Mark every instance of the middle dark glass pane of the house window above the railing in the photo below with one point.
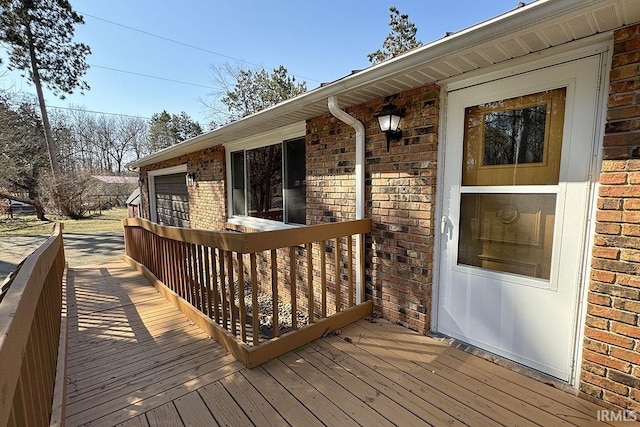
(264, 185)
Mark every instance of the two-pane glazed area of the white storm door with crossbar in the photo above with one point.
(517, 143)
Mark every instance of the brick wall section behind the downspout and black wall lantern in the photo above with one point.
(400, 197)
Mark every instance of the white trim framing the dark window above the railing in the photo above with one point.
(277, 136)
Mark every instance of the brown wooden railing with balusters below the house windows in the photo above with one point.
(308, 275)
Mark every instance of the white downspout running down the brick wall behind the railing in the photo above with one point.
(334, 108)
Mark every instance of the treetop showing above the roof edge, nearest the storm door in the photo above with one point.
(401, 38)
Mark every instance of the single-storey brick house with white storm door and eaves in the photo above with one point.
(505, 215)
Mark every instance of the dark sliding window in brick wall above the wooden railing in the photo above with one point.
(269, 182)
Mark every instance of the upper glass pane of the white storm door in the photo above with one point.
(515, 141)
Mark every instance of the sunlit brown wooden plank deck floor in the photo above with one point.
(135, 360)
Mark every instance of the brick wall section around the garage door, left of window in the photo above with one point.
(207, 206)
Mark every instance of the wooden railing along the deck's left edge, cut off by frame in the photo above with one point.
(30, 324)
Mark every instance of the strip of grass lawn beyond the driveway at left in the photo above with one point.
(28, 225)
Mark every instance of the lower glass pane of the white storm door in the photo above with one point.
(511, 233)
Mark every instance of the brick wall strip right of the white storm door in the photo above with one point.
(611, 357)
